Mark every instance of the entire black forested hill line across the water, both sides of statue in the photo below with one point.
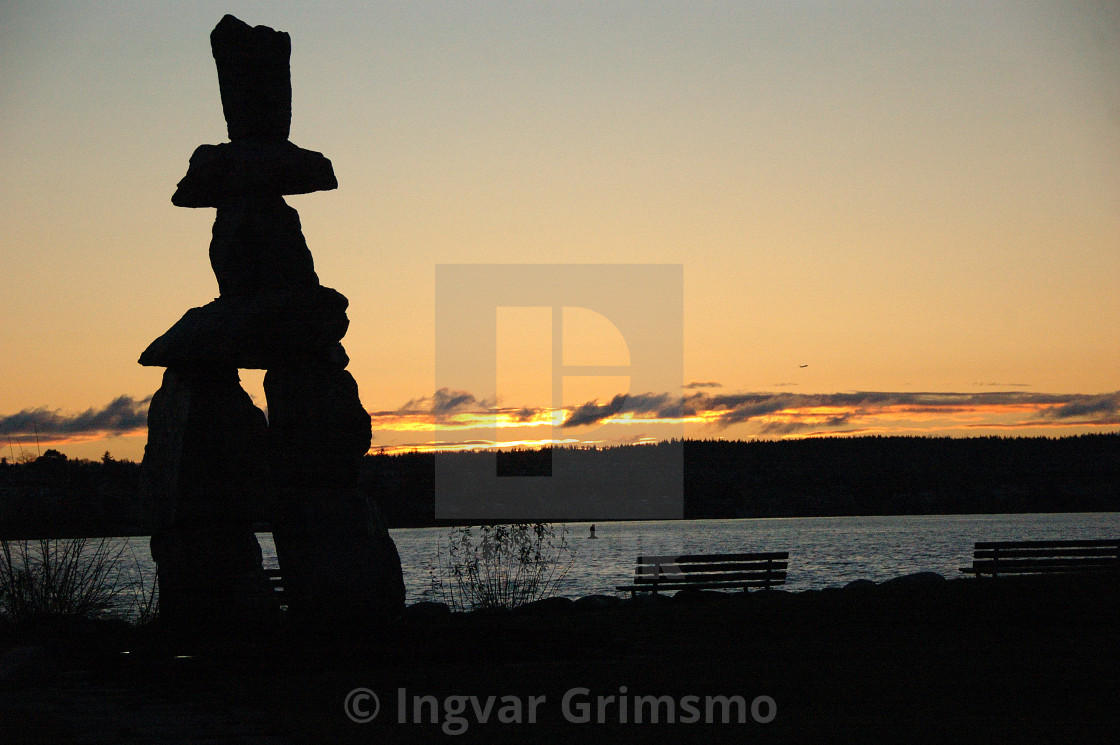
(53, 496)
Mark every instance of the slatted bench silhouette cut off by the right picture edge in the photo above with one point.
(994, 558)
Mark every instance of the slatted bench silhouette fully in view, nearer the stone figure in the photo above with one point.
(655, 574)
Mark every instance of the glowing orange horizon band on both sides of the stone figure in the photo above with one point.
(451, 421)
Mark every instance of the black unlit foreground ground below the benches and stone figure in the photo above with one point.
(960, 662)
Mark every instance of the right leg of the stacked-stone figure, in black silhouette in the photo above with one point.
(341, 566)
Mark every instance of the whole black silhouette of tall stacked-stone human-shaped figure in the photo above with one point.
(211, 454)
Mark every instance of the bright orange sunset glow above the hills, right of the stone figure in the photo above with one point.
(762, 417)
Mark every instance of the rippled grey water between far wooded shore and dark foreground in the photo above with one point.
(824, 552)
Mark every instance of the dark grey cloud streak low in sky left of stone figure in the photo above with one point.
(120, 416)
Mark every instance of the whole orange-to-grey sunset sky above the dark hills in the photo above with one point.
(892, 218)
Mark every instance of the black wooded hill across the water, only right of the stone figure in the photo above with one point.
(828, 477)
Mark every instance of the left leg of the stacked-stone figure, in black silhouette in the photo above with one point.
(203, 477)
